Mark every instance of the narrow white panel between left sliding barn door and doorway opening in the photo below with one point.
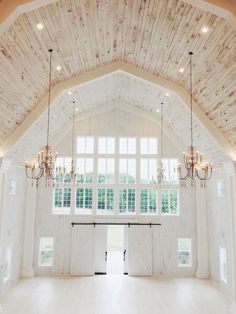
(100, 249)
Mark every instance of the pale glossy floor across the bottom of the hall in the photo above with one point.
(114, 295)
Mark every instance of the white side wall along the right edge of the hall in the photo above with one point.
(219, 227)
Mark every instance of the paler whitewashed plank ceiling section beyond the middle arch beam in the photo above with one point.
(117, 90)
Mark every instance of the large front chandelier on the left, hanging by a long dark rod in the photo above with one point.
(44, 167)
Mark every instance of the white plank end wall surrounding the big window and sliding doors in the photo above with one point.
(118, 122)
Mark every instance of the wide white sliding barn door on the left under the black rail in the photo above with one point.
(82, 250)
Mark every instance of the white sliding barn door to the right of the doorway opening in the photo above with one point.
(140, 250)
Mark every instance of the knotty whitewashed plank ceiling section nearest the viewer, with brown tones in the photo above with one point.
(153, 35)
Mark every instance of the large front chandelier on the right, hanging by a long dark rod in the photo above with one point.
(195, 166)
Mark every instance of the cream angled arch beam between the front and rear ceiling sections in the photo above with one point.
(61, 87)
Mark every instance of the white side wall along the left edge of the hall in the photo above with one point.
(12, 190)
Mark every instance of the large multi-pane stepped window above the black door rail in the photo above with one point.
(117, 176)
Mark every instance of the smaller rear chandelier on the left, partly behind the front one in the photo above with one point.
(64, 173)
